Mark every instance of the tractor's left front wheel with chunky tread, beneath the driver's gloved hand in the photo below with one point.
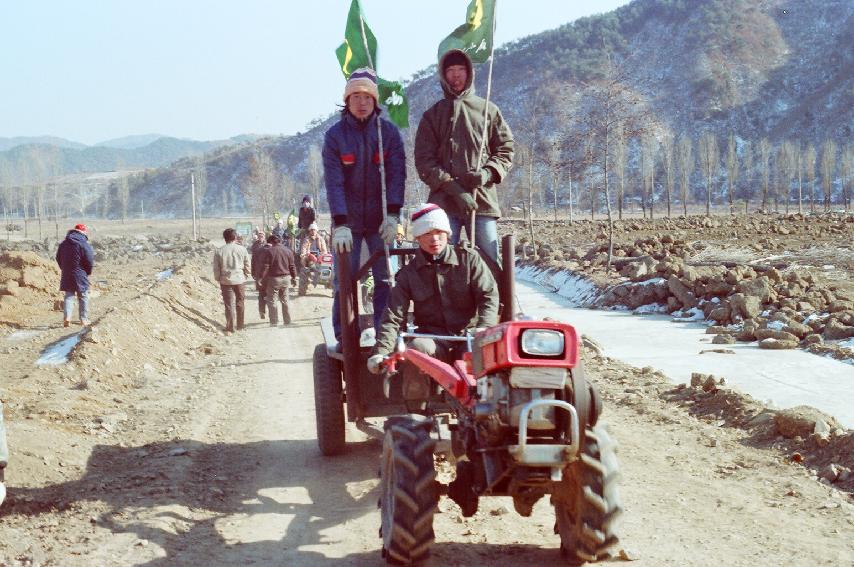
(408, 497)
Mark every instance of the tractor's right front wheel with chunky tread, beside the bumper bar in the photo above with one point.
(587, 502)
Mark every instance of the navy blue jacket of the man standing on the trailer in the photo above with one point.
(351, 168)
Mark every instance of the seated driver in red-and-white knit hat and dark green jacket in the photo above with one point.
(452, 290)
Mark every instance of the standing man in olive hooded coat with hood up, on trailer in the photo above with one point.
(447, 146)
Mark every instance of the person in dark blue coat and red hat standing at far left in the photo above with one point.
(76, 260)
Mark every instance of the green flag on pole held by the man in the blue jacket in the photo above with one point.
(352, 55)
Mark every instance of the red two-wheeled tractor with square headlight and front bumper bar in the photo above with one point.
(523, 421)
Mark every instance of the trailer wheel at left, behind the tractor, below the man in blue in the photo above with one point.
(328, 402)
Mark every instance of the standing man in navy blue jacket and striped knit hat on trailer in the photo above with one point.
(351, 165)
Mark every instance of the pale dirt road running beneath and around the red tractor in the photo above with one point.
(221, 467)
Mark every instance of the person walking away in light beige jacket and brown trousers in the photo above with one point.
(231, 269)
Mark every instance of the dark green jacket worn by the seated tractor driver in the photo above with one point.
(451, 294)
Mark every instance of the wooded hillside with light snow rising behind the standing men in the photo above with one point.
(780, 69)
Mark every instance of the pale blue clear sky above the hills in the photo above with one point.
(93, 70)
